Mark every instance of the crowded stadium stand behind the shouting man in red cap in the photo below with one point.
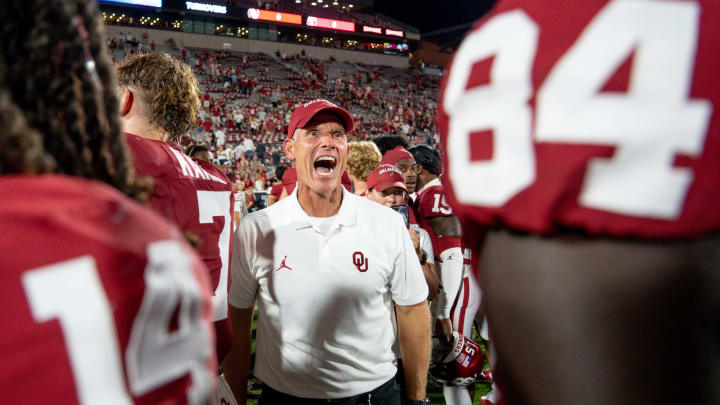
(247, 100)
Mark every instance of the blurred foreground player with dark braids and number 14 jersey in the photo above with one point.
(103, 301)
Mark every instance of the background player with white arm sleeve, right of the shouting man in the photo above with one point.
(459, 298)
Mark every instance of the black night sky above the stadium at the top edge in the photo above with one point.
(432, 15)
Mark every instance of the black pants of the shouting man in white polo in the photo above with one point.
(386, 394)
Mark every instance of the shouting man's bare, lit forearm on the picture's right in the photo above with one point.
(414, 334)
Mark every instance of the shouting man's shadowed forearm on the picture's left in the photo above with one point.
(236, 365)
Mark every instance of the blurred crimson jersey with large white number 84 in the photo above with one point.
(597, 114)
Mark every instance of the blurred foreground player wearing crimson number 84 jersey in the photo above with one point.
(589, 131)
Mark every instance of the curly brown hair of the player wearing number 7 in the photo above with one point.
(168, 89)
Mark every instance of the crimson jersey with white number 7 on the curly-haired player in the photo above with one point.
(196, 196)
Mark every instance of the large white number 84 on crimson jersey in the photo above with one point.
(650, 124)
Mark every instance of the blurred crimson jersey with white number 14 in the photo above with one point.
(90, 283)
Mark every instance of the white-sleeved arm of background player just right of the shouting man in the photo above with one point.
(448, 233)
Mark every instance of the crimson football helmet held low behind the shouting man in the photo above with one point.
(457, 363)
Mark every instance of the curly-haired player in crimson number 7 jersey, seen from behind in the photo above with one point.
(159, 104)
